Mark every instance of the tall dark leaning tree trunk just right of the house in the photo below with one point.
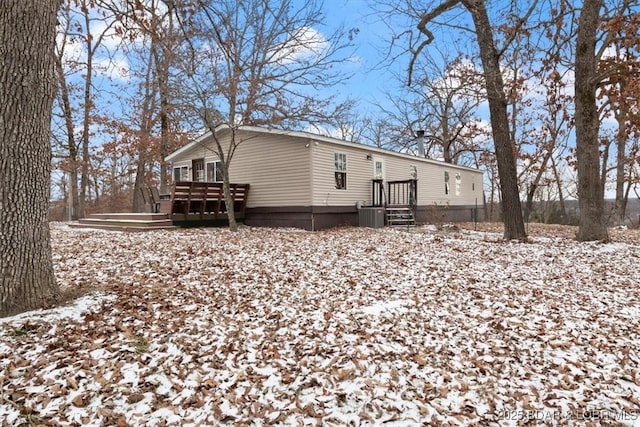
(504, 147)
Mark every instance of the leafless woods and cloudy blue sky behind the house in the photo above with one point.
(137, 79)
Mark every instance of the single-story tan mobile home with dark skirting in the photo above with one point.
(304, 180)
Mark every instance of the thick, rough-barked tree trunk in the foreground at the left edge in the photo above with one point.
(27, 34)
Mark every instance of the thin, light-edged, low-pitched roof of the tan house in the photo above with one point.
(311, 136)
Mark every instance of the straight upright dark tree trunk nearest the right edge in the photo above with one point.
(591, 224)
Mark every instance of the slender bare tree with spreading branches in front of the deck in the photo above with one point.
(256, 62)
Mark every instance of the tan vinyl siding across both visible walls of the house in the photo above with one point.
(298, 170)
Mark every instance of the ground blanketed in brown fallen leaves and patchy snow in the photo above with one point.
(350, 326)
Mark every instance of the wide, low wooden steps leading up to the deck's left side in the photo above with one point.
(126, 222)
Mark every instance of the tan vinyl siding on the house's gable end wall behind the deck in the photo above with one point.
(276, 167)
